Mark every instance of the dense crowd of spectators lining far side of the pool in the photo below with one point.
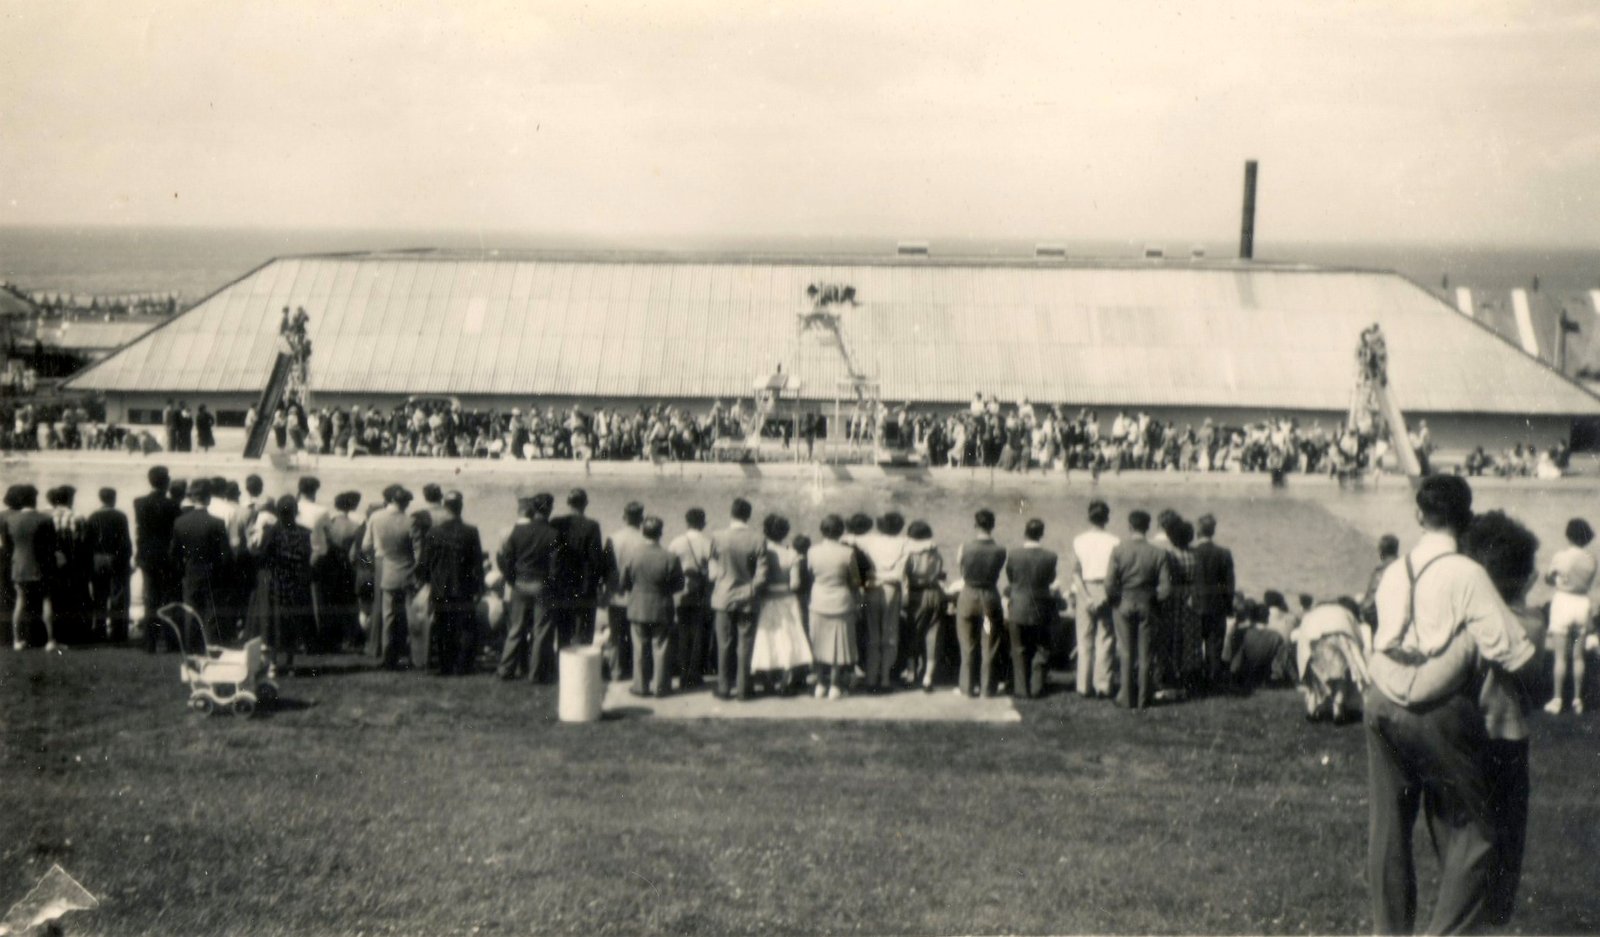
(1020, 437)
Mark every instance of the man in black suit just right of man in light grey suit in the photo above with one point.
(454, 568)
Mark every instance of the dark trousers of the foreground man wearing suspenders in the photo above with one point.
(1430, 762)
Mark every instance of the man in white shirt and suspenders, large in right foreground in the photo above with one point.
(1426, 738)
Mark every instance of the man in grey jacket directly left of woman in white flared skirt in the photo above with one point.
(738, 559)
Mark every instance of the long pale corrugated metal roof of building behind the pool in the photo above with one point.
(666, 327)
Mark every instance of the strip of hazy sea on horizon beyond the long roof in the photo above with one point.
(196, 261)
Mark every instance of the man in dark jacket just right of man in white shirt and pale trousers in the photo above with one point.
(1137, 583)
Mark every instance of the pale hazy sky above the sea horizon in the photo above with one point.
(1423, 122)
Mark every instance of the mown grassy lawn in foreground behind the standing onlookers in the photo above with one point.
(410, 805)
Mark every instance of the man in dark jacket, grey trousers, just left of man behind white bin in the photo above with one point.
(526, 560)
